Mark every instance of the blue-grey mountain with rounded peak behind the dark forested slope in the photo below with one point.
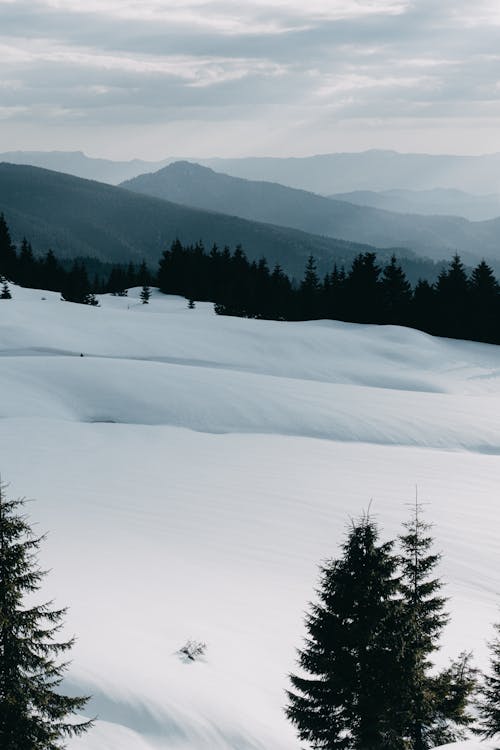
(434, 236)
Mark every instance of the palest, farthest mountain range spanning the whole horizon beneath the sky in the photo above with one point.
(324, 174)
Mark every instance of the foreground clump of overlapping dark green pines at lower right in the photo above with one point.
(367, 679)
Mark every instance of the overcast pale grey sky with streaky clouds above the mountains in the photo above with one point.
(157, 78)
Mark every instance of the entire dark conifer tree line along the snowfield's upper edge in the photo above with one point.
(460, 304)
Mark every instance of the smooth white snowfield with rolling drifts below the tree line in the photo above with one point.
(193, 470)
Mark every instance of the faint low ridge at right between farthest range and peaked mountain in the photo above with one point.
(442, 201)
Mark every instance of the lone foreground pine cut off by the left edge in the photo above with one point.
(34, 715)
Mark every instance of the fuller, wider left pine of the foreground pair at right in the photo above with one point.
(352, 651)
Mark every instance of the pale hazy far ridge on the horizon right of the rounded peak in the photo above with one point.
(370, 170)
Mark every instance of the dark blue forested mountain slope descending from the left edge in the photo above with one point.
(77, 217)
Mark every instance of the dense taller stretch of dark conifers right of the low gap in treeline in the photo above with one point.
(458, 305)
